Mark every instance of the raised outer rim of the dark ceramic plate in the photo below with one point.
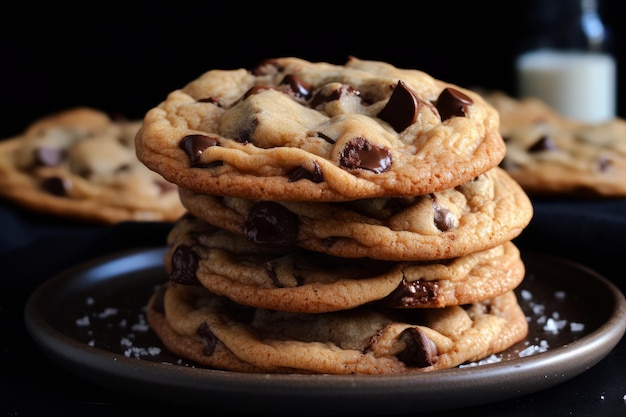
(194, 386)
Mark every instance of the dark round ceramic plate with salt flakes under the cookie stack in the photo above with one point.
(91, 320)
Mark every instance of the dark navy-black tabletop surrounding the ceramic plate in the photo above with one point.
(34, 247)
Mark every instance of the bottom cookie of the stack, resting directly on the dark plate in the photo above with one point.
(215, 332)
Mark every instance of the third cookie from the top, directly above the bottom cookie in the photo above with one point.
(297, 280)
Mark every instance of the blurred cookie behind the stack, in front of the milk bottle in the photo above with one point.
(548, 154)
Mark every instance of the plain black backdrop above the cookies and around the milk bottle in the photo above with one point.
(124, 60)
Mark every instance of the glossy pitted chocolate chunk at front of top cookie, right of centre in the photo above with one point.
(359, 153)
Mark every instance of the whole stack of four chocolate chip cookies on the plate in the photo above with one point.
(341, 219)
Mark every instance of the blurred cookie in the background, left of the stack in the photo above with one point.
(80, 164)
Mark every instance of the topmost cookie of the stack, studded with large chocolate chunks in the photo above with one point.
(296, 130)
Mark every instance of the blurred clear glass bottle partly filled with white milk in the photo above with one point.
(566, 59)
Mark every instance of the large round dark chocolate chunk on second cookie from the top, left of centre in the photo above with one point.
(270, 223)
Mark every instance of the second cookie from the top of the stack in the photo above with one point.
(482, 213)
